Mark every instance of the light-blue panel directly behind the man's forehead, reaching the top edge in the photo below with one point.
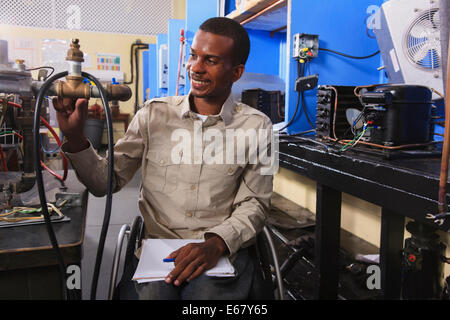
(197, 11)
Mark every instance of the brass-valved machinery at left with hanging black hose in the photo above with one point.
(24, 108)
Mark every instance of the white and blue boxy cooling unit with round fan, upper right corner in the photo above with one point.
(409, 39)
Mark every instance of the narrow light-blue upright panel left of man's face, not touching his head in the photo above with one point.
(175, 26)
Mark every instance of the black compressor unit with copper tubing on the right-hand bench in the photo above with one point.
(381, 118)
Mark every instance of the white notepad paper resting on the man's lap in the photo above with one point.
(152, 268)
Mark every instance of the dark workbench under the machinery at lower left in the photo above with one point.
(28, 264)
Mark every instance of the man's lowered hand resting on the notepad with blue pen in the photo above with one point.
(195, 258)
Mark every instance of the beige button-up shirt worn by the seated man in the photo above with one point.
(196, 176)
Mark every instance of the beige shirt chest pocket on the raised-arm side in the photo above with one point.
(162, 172)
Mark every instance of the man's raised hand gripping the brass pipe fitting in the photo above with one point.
(72, 118)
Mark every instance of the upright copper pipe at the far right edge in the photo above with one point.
(442, 202)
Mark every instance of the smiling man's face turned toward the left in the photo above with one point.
(210, 66)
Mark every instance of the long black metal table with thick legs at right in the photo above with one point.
(401, 187)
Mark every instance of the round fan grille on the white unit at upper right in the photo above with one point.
(422, 41)
